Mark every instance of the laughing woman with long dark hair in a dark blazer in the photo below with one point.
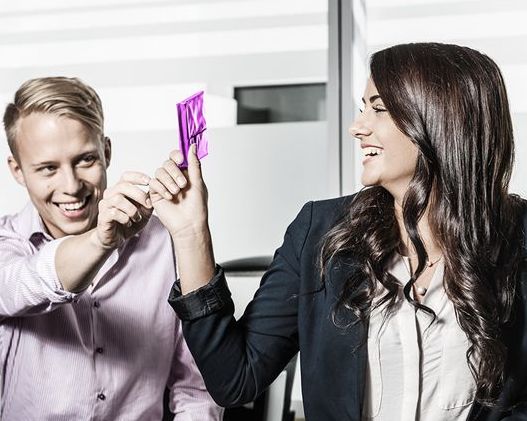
(406, 300)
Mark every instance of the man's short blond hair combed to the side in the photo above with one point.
(62, 96)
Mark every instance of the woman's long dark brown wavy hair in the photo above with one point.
(452, 103)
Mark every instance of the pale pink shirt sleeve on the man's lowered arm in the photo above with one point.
(189, 399)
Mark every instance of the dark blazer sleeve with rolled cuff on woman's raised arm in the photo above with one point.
(240, 359)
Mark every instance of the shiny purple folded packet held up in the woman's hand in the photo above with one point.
(192, 126)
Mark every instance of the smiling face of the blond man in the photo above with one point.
(63, 166)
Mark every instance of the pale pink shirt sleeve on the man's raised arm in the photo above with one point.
(28, 281)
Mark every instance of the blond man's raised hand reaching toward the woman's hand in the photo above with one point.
(123, 211)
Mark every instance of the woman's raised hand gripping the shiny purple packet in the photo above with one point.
(180, 196)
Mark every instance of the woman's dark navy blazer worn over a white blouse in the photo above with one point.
(291, 311)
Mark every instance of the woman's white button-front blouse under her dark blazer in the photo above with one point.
(417, 370)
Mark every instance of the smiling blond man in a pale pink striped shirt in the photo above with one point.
(85, 329)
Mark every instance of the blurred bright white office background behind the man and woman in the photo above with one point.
(283, 80)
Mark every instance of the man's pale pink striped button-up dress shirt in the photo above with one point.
(107, 353)
